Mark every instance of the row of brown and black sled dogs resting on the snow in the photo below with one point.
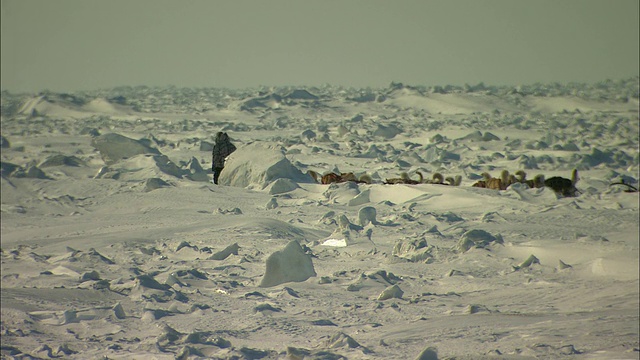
(562, 186)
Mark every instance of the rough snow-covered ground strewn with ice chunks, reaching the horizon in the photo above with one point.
(115, 244)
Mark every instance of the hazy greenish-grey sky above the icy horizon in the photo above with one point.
(68, 45)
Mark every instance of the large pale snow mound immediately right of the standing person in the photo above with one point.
(257, 165)
